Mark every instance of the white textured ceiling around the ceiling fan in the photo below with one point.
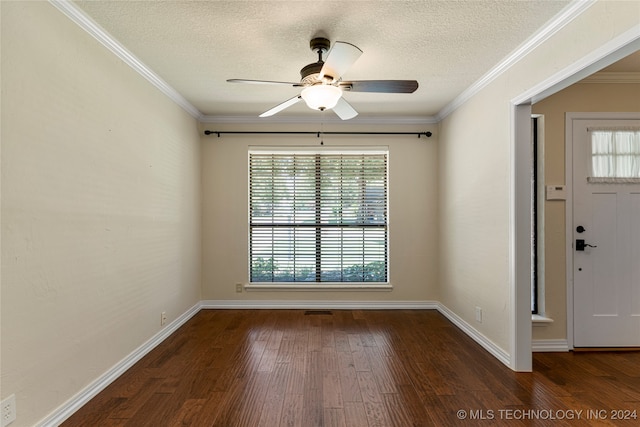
(195, 46)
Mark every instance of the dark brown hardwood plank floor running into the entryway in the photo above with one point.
(356, 368)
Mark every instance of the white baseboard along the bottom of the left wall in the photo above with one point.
(63, 412)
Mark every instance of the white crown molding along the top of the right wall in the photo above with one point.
(568, 14)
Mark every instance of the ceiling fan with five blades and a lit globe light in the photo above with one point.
(323, 84)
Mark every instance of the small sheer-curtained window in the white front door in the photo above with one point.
(615, 155)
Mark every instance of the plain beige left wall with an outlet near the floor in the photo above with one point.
(100, 209)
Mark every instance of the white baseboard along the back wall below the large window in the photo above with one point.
(319, 305)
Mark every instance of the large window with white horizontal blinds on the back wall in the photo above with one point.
(318, 216)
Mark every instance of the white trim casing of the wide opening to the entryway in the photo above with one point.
(521, 162)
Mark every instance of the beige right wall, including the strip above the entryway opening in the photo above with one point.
(475, 147)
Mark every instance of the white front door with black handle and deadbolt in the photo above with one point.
(606, 249)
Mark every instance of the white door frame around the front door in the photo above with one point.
(569, 225)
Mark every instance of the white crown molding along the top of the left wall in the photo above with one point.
(107, 40)
